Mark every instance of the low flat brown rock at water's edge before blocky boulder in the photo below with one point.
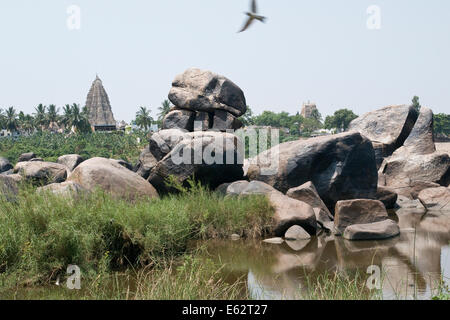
(372, 231)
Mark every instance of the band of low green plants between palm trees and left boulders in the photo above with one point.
(50, 146)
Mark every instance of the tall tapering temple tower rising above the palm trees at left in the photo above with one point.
(100, 114)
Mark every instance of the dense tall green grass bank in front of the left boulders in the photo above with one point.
(41, 234)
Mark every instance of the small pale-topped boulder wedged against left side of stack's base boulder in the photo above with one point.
(163, 141)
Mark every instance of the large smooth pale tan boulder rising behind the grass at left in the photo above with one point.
(109, 175)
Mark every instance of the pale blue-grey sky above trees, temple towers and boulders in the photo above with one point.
(321, 51)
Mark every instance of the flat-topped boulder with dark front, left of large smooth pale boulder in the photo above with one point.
(40, 172)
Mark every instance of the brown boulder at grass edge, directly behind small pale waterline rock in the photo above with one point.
(290, 212)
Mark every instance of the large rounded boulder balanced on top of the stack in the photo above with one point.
(200, 90)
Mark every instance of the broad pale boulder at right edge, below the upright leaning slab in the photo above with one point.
(407, 174)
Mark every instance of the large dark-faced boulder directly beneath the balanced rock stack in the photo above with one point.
(212, 158)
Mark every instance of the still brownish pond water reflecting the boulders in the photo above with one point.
(412, 264)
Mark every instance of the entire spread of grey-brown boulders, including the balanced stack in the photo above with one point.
(341, 184)
